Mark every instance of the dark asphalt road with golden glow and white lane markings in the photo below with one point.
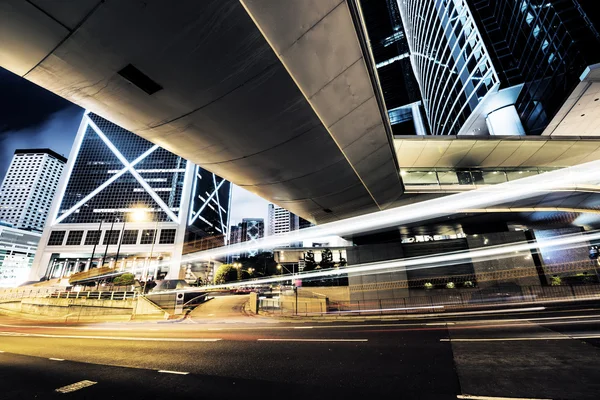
(223, 353)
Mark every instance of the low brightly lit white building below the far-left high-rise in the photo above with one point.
(17, 250)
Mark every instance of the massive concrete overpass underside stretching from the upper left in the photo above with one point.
(278, 97)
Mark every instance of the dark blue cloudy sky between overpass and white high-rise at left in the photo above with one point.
(32, 117)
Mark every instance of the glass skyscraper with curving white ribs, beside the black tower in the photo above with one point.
(451, 62)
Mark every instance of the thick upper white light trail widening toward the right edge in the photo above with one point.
(425, 210)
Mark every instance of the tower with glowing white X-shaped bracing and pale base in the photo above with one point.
(126, 203)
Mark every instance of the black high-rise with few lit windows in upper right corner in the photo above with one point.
(544, 45)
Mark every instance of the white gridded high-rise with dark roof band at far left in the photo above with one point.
(29, 187)
